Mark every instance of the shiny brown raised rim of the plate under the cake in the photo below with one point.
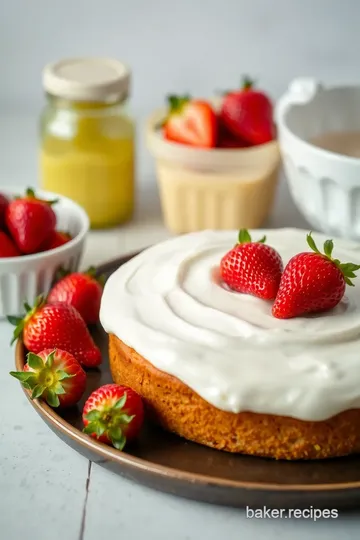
(140, 464)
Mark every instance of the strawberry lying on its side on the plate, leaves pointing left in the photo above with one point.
(56, 326)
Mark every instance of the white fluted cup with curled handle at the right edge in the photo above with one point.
(325, 186)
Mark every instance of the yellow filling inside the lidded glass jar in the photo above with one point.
(90, 159)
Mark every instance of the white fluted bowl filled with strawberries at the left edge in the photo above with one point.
(39, 234)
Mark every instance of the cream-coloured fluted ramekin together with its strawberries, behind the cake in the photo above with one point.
(217, 161)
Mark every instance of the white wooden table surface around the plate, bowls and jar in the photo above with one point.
(49, 492)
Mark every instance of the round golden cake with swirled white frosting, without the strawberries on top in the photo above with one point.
(215, 367)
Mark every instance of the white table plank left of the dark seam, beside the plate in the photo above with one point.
(42, 480)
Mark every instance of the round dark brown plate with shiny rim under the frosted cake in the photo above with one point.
(169, 463)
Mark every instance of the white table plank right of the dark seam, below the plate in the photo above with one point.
(118, 508)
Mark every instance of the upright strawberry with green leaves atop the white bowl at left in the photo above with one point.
(30, 221)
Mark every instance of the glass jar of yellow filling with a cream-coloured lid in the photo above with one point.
(87, 138)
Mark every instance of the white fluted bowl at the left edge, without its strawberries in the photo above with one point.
(22, 279)
